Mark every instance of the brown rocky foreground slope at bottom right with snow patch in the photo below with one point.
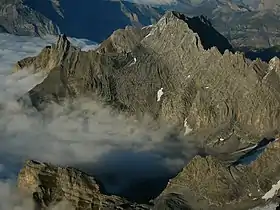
(207, 183)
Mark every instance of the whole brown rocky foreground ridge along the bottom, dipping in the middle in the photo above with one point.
(205, 183)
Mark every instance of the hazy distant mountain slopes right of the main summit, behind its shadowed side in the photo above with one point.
(243, 23)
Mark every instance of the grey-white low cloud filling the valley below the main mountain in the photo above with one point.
(83, 134)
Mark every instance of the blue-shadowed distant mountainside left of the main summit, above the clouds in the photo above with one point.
(94, 20)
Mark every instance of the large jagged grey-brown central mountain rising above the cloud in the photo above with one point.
(177, 71)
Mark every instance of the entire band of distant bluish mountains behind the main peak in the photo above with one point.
(245, 23)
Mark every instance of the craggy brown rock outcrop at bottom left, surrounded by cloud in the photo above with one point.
(49, 185)
